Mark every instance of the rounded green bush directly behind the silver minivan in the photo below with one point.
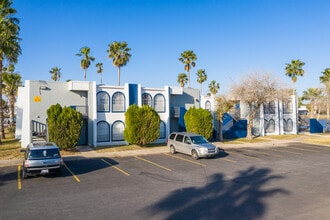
(199, 121)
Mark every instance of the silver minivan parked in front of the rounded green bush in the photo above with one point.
(191, 144)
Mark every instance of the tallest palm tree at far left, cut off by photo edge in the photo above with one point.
(9, 44)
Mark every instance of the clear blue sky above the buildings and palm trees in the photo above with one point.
(231, 39)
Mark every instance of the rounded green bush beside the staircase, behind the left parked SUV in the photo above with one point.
(64, 126)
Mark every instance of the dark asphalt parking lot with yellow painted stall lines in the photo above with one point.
(275, 182)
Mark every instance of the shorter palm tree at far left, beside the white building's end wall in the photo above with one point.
(11, 82)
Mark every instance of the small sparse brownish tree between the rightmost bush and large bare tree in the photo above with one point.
(222, 106)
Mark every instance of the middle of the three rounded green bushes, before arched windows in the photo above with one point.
(142, 125)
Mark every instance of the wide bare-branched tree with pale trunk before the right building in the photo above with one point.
(255, 90)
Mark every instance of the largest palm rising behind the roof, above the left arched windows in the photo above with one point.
(119, 53)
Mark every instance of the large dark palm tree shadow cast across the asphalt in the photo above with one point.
(242, 197)
